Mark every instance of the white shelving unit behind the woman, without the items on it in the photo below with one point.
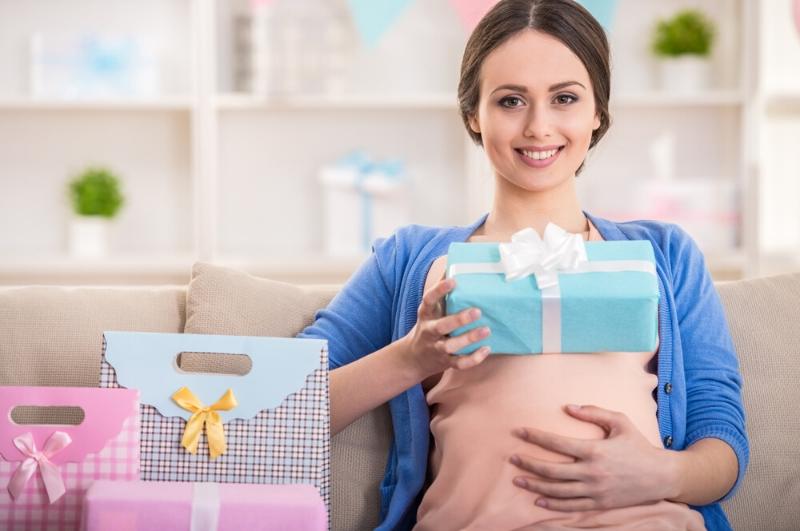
(216, 175)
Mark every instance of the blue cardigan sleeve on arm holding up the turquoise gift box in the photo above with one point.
(358, 321)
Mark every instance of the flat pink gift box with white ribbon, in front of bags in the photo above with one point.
(147, 505)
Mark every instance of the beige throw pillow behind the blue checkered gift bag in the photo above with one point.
(225, 301)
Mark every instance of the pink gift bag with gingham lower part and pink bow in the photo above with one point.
(45, 469)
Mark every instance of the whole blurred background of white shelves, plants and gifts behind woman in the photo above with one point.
(281, 137)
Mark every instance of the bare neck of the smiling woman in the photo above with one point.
(514, 209)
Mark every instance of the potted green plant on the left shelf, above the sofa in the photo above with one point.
(96, 198)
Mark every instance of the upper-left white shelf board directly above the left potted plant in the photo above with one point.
(34, 104)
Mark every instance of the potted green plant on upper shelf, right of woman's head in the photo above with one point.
(683, 46)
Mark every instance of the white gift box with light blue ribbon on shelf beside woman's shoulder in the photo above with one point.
(362, 200)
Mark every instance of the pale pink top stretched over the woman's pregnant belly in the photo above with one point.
(471, 476)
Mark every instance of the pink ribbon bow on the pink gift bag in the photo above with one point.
(51, 476)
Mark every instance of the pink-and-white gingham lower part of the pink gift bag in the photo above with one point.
(118, 460)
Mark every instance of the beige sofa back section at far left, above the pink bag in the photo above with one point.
(54, 335)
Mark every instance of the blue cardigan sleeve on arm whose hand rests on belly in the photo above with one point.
(713, 381)
